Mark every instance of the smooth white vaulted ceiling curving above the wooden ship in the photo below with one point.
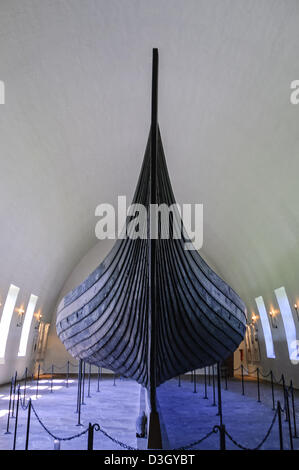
(75, 123)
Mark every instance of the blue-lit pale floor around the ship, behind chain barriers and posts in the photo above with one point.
(185, 415)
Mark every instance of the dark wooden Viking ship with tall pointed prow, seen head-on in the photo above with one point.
(152, 310)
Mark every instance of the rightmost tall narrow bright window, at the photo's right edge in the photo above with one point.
(288, 322)
